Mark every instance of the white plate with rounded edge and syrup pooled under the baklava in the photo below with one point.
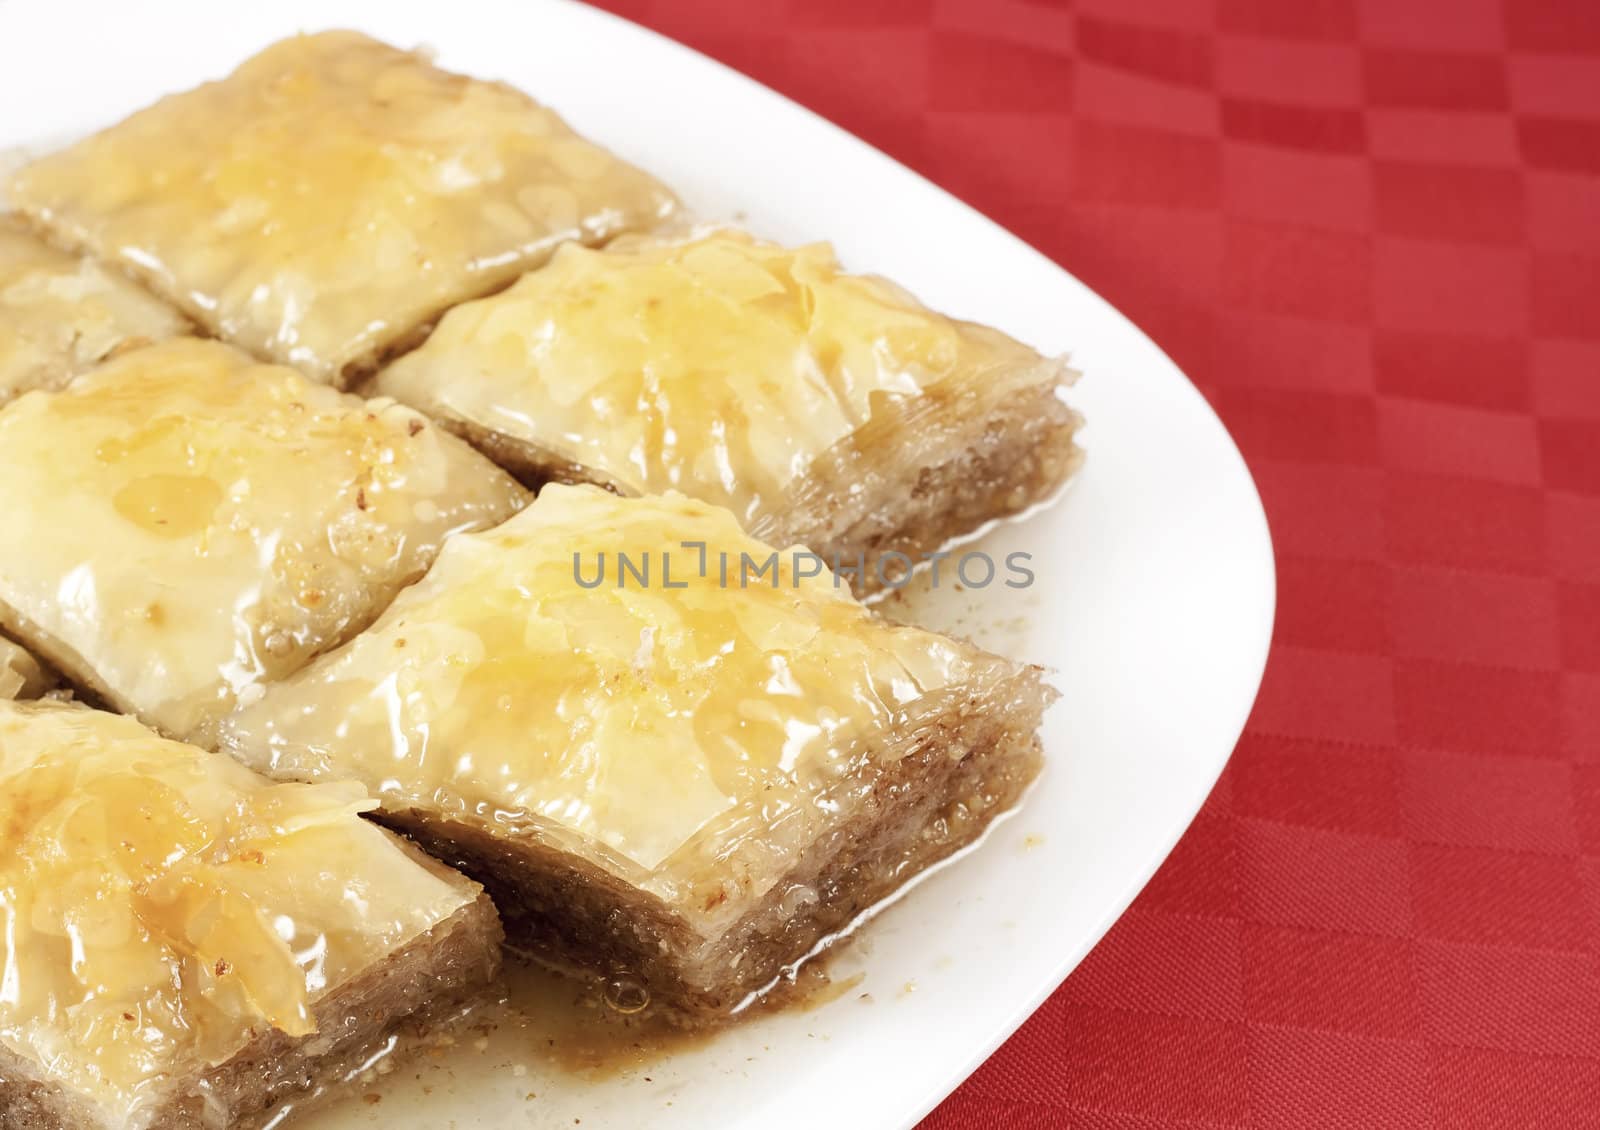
(1154, 596)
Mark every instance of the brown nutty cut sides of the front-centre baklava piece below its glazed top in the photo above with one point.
(962, 771)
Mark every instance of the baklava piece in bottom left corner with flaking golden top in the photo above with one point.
(188, 945)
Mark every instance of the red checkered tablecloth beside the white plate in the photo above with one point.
(1370, 233)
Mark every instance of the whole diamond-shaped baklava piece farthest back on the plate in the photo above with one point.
(334, 196)
